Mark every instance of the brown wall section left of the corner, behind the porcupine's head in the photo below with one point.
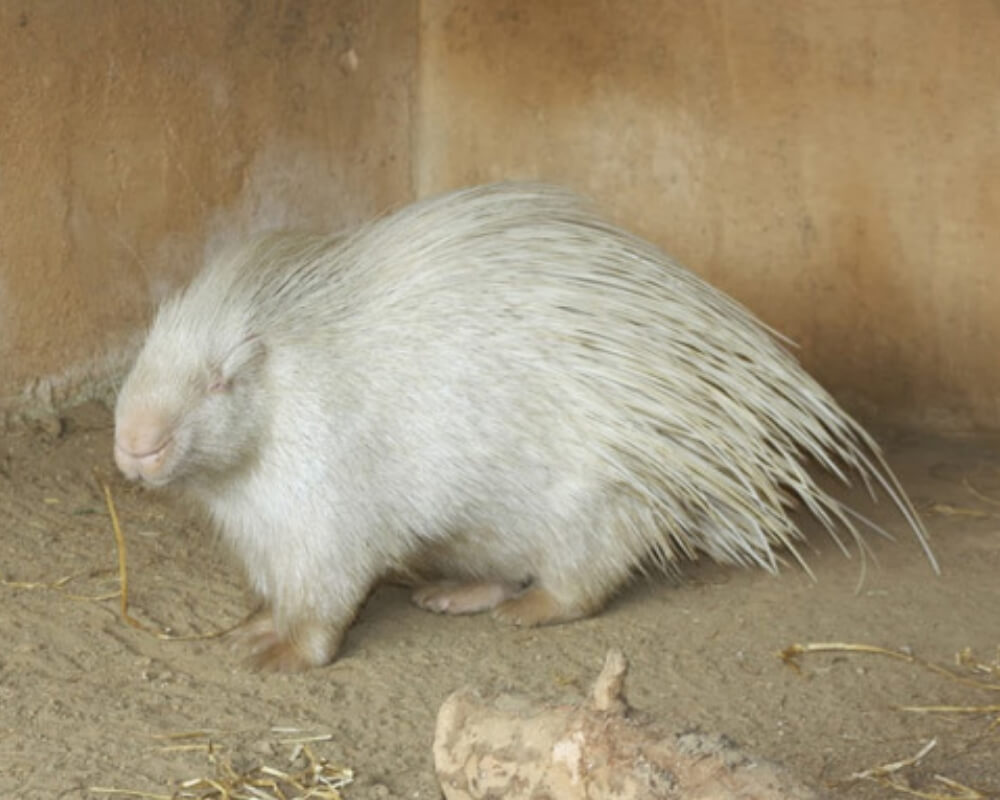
(136, 134)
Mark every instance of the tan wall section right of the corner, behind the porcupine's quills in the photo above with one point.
(835, 164)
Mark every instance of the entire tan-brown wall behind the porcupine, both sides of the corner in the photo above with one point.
(834, 164)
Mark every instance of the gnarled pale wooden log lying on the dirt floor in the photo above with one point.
(511, 747)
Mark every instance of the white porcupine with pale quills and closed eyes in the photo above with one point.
(495, 382)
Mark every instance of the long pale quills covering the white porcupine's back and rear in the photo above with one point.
(691, 404)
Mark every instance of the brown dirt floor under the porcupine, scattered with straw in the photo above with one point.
(88, 701)
